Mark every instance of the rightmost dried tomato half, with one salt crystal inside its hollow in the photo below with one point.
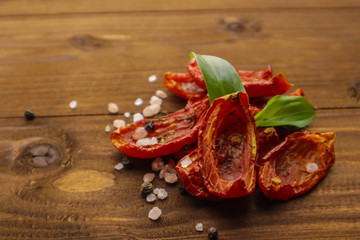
(296, 165)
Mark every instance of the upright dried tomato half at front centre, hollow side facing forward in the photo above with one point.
(227, 143)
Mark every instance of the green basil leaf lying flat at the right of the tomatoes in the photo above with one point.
(281, 110)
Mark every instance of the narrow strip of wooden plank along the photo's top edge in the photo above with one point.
(21, 7)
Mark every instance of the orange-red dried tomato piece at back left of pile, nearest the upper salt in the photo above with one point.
(182, 85)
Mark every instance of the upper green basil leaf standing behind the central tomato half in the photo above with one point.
(220, 76)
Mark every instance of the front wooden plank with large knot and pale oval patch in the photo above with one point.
(34, 203)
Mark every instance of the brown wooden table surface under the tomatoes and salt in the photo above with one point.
(96, 52)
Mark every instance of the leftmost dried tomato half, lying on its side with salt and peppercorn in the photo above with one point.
(167, 135)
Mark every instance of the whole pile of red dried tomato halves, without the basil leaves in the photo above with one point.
(229, 154)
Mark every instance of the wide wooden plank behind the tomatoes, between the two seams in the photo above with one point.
(48, 61)
